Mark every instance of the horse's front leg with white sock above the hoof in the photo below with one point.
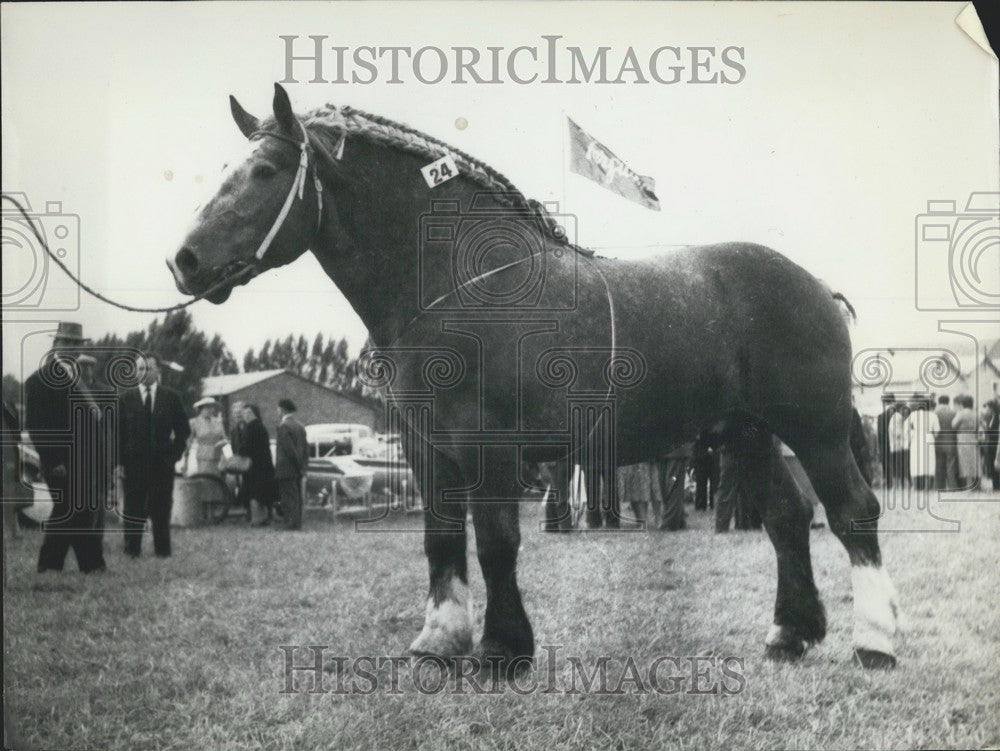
(448, 618)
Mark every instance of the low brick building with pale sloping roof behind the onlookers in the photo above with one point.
(264, 388)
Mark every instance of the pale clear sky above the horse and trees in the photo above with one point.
(849, 119)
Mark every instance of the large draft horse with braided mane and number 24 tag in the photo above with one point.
(499, 341)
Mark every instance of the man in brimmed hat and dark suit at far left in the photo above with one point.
(65, 424)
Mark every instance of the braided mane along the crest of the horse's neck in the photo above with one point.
(381, 130)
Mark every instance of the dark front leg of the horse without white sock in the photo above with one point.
(507, 634)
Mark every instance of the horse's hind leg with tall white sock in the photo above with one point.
(852, 512)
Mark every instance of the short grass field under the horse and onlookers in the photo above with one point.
(184, 654)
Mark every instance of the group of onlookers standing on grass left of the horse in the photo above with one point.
(92, 439)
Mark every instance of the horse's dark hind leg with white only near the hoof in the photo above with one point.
(799, 618)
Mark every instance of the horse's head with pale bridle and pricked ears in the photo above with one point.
(265, 214)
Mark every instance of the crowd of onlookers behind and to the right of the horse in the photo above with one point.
(913, 444)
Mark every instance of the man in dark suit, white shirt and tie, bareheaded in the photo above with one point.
(153, 432)
